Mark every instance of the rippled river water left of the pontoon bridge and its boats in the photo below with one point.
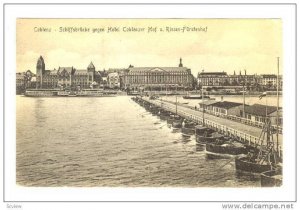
(72, 141)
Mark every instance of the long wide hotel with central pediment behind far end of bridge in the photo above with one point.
(158, 78)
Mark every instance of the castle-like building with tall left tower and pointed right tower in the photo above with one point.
(66, 77)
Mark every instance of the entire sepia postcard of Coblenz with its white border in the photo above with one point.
(151, 103)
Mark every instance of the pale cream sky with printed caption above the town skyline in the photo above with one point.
(217, 44)
